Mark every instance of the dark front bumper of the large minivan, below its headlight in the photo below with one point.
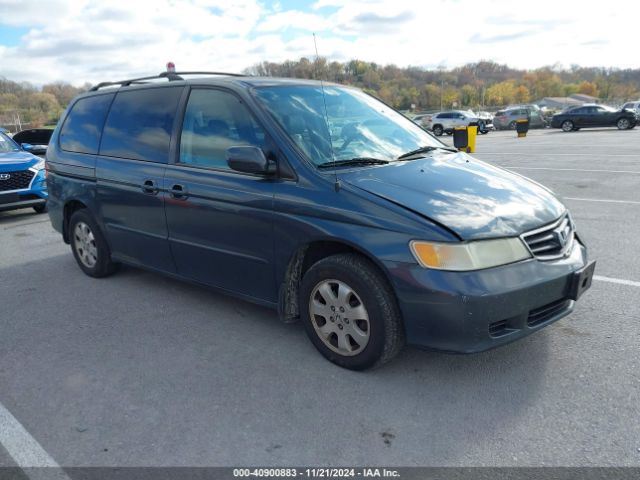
(469, 312)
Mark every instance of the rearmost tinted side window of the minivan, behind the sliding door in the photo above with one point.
(83, 126)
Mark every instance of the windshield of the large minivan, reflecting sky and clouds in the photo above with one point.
(356, 126)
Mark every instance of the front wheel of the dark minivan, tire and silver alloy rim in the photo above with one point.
(350, 313)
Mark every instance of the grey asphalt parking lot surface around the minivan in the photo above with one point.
(141, 370)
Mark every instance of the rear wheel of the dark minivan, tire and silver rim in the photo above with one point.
(89, 245)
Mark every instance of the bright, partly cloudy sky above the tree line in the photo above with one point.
(79, 40)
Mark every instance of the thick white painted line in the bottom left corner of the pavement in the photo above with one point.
(25, 450)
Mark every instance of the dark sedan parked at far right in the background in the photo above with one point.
(587, 116)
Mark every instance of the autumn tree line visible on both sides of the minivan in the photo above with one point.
(483, 84)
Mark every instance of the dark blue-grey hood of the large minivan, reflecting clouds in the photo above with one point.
(470, 197)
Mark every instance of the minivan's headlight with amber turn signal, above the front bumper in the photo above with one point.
(469, 256)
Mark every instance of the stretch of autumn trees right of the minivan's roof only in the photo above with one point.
(475, 85)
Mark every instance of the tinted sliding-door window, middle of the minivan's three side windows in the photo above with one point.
(139, 124)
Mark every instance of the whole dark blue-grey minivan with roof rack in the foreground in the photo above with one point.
(320, 202)
